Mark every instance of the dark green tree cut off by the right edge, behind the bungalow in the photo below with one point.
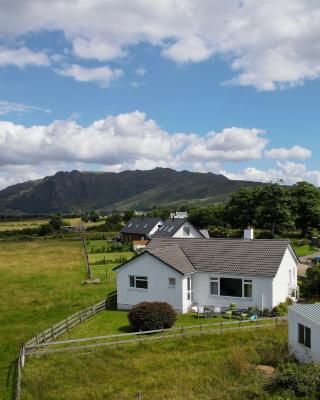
(306, 206)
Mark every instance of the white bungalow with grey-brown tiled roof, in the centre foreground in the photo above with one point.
(209, 272)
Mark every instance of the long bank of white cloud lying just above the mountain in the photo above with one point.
(131, 141)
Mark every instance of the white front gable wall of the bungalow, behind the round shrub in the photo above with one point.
(158, 274)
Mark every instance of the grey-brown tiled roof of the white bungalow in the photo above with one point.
(227, 256)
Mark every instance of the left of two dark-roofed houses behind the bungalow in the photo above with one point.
(140, 228)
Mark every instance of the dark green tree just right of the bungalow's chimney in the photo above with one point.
(274, 207)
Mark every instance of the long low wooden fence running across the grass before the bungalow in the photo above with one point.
(160, 334)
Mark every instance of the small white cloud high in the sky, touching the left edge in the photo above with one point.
(22, 57)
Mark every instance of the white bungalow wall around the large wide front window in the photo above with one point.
(261, 291)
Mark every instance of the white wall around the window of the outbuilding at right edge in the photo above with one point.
(299, 351)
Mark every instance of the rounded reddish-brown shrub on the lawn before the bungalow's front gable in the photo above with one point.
(148, 316)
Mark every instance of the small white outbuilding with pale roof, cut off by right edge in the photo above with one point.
(304, 332)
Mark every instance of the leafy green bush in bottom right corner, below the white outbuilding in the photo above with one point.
(302, 379)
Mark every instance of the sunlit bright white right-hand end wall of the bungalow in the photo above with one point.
(285, 279)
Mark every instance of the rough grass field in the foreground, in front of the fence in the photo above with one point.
(201, 367)
